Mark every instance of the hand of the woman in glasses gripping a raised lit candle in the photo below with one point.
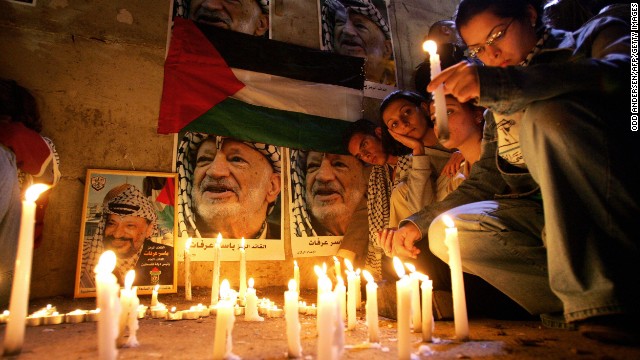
(460, 80)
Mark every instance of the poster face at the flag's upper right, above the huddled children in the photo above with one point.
(357, 35)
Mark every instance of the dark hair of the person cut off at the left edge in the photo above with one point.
(17, 102)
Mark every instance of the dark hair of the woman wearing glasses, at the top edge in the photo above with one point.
(517, 9)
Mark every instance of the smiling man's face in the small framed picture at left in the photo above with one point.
(125, 234)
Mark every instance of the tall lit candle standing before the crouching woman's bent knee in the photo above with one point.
(457, 285)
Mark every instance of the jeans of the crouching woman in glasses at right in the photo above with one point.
(579, 255)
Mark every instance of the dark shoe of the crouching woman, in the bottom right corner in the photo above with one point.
(612, 329)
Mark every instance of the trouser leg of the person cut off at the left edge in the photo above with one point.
(10, 210)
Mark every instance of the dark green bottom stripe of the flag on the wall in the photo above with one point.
(238, 119)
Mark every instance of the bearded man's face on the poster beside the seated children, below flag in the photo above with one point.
(334, 186)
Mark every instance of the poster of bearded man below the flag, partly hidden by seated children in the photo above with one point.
(325, 191)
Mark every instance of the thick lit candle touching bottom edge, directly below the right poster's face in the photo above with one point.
(326, 324)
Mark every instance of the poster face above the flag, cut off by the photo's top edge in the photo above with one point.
(243, 16)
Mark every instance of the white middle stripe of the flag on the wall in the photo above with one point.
(277, 92)
